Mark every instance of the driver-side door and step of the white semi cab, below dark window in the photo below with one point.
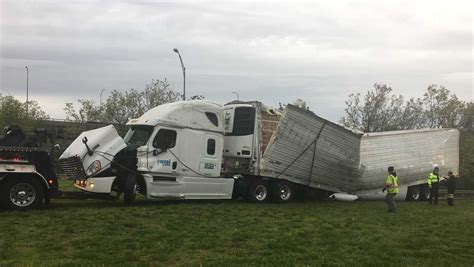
(163, 164)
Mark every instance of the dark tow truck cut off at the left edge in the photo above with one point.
(27, 176)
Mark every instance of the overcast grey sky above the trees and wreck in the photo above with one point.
(271, 51)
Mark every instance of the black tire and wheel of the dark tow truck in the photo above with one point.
(22, 193)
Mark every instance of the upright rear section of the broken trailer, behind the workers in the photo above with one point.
(413, 153)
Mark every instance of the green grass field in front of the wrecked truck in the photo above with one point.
(221, 233)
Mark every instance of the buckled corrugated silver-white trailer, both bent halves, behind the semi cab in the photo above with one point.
(309, 150)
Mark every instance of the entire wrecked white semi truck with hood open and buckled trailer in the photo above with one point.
(204, 150)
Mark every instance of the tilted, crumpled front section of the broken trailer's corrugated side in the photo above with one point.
(312, 151)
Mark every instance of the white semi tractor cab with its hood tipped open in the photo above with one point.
(172, 151)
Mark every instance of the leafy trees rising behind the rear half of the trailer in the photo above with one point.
(381, 110)
